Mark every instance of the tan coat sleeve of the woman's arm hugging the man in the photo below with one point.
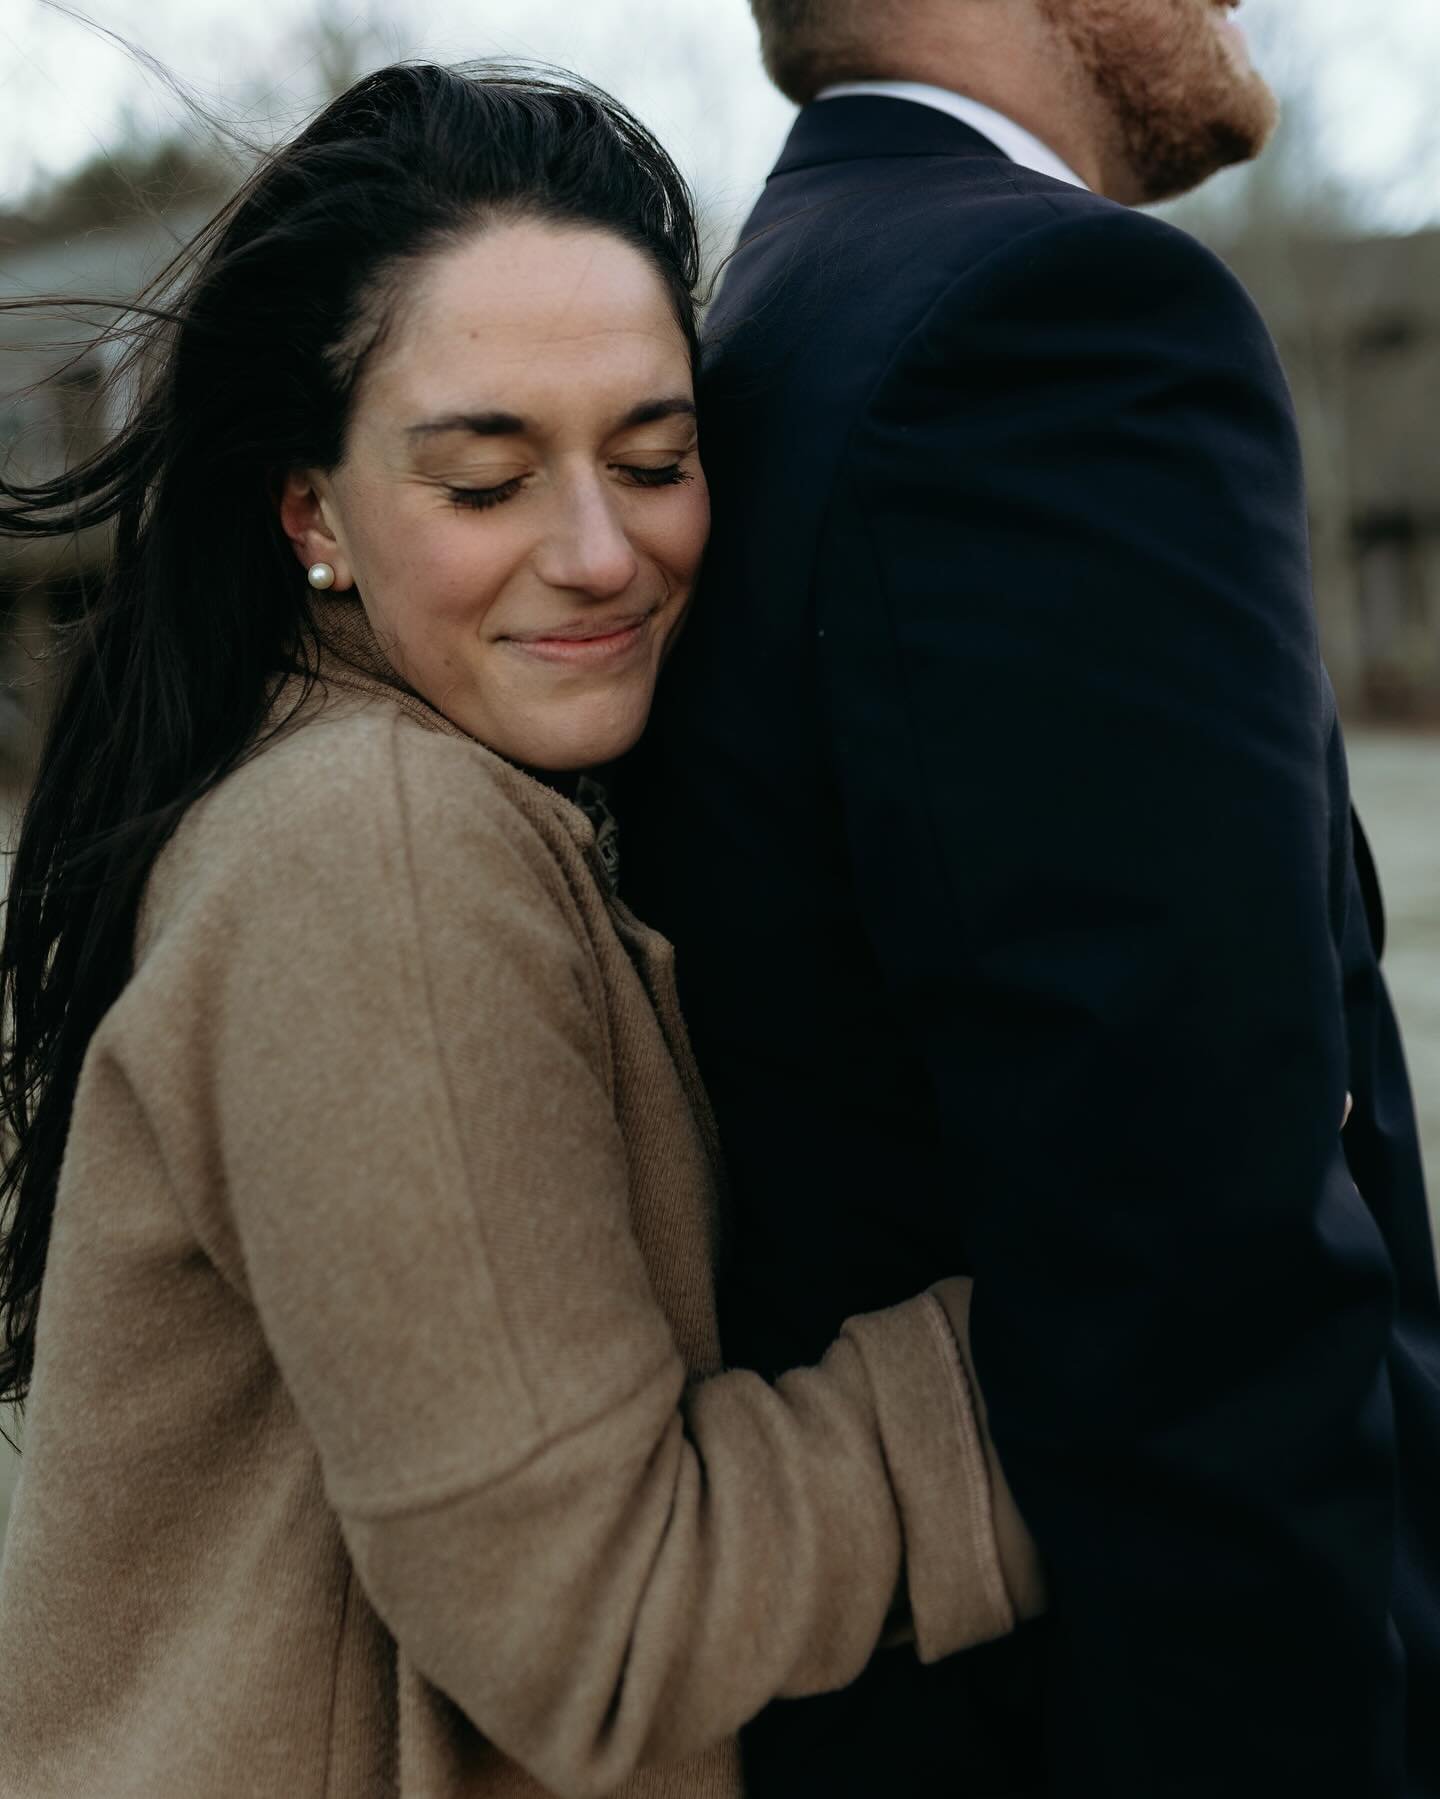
(598, 1562)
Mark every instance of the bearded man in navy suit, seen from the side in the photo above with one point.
(1000, 816)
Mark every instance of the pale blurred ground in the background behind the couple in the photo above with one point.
(1398, 789)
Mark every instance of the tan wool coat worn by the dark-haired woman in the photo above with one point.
(379, 1442)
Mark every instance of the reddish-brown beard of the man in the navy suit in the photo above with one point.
(1185, 105)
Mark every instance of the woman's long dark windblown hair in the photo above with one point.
(246, 362)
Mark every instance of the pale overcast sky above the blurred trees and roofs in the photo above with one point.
(688, 67)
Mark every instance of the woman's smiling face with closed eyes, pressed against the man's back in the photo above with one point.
(521, 505)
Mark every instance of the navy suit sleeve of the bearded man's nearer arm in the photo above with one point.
(1079, 726)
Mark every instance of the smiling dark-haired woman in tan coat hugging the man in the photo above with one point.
(377, 1435)
